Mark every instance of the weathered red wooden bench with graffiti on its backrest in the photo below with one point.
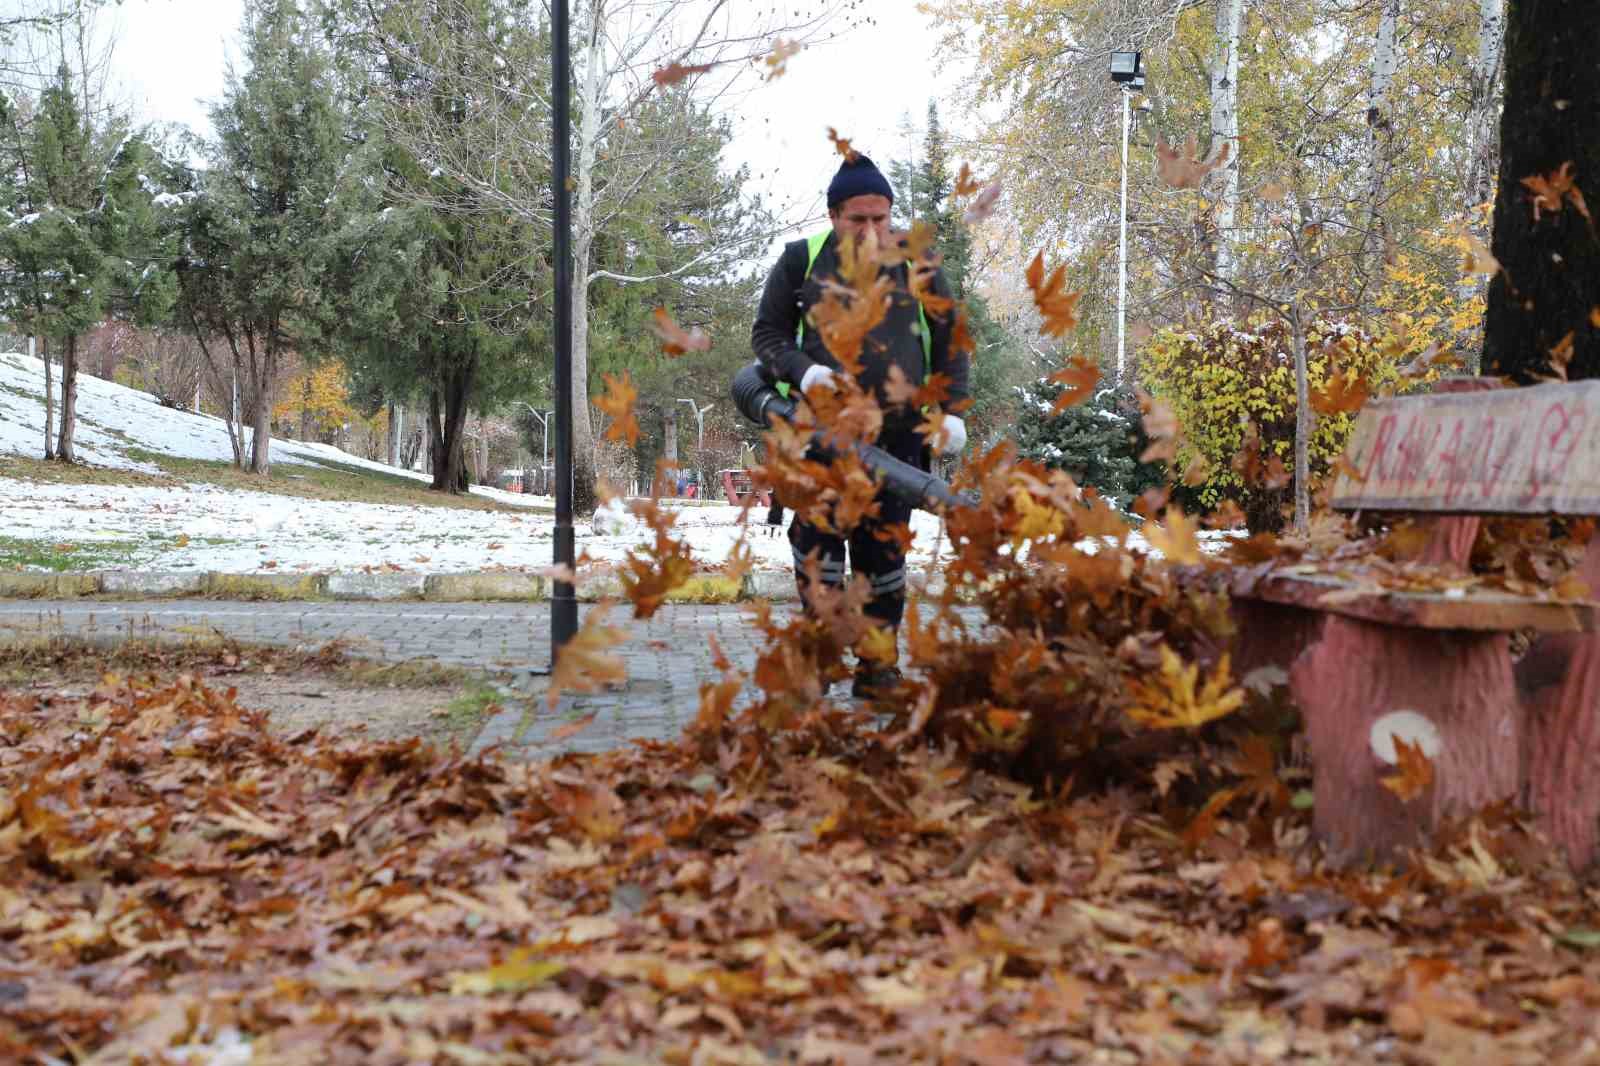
(1436, 668)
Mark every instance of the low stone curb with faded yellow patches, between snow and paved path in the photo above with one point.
(439, 588)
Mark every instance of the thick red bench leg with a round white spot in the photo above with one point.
(1361, 671)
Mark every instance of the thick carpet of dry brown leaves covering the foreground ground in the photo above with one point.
(175, 881)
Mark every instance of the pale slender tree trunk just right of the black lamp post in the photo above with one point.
(591, 106)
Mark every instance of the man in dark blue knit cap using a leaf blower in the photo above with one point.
(918, 342)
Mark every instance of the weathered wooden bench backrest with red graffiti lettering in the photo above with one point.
(1500, 452)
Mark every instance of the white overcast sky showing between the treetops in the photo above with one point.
(172, 55)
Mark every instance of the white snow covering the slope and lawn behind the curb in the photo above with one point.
(206, 527)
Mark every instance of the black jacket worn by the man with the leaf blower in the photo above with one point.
(895, 342)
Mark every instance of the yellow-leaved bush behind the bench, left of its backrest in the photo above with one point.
(1223, 377)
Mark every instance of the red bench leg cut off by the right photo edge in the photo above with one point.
(1559, 681)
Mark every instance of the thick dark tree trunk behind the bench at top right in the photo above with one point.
(1540, 302)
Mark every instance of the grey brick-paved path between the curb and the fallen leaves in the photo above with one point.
(668, 657)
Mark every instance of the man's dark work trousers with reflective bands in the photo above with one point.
(882, 563)
